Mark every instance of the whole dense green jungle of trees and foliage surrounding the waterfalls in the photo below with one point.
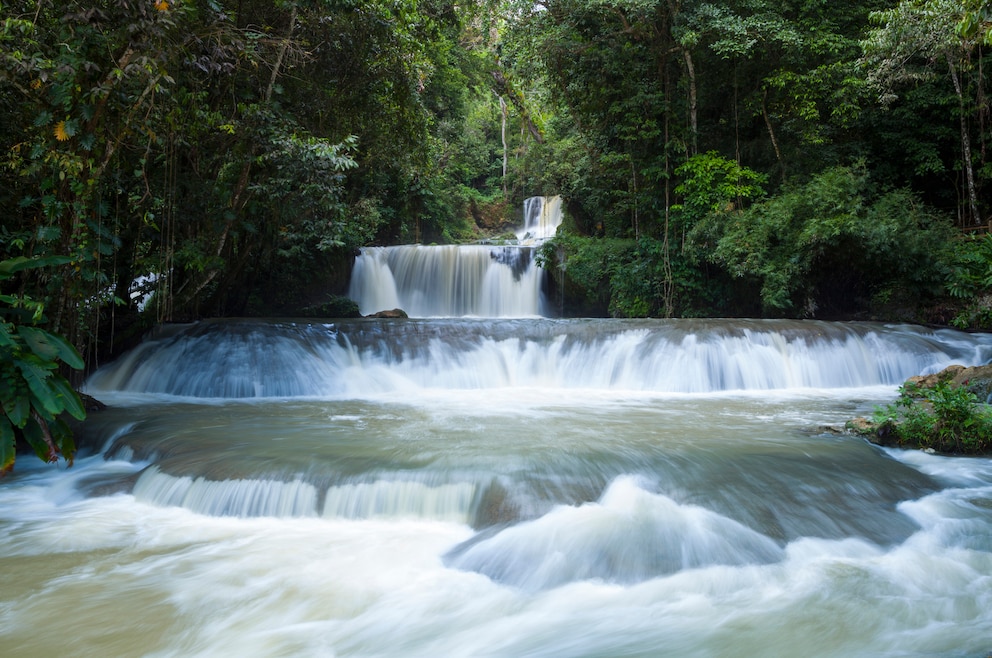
(175, 159)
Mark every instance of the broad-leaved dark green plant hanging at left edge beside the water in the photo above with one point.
(33, 395)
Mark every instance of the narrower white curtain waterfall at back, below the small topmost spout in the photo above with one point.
(448, 281)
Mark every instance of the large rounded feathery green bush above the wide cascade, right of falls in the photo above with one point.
(827, 244)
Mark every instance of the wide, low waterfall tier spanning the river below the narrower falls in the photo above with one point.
(356, 358)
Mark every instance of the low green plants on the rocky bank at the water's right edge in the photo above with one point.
(945, 418)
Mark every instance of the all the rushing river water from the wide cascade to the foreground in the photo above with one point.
(502, 488)
